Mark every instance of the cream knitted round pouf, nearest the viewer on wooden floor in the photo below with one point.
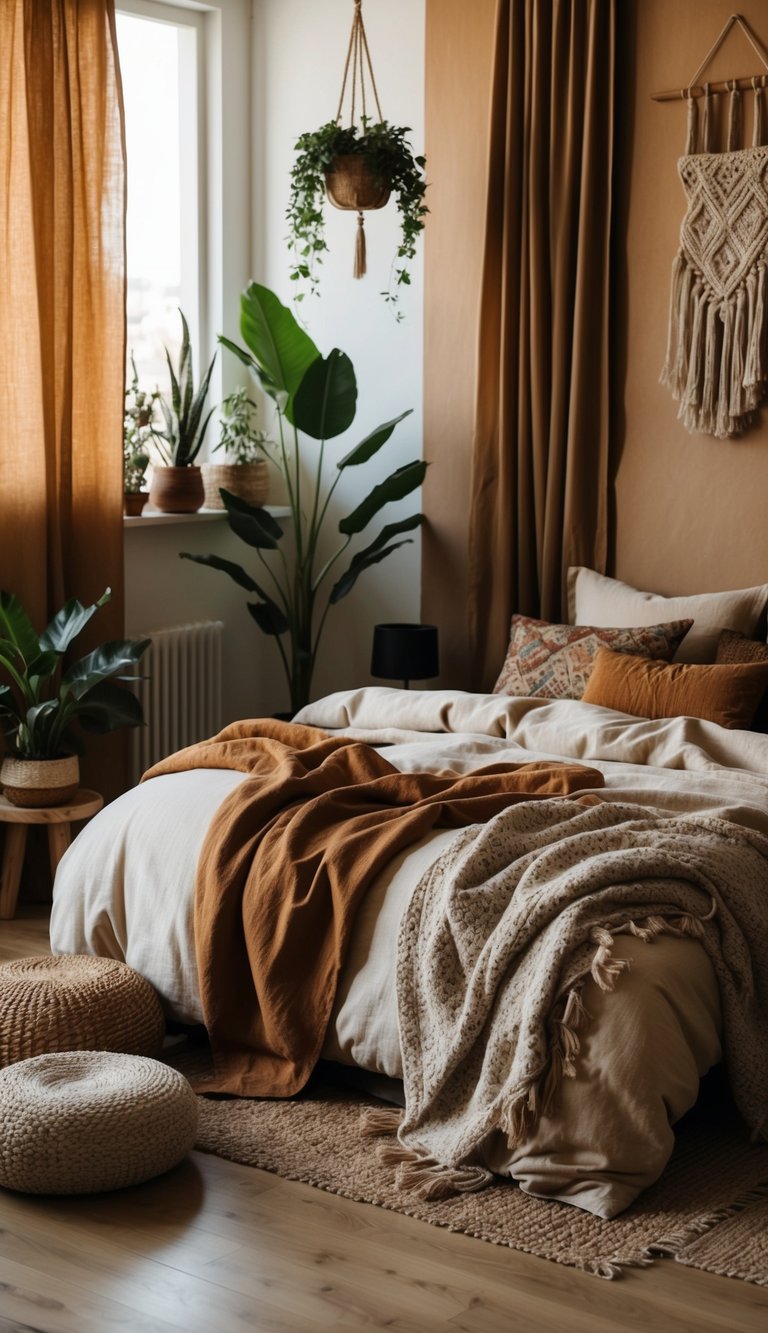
(82, 1122)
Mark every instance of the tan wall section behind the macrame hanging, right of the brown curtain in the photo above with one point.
(690, 510)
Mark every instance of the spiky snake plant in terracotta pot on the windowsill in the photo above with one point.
(178, 485)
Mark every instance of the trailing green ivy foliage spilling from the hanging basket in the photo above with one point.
(393, 163)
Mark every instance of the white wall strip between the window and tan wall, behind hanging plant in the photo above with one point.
(298, 59)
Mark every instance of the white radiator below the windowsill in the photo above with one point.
(182, 696)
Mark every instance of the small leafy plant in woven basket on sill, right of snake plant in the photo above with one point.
(245, 445)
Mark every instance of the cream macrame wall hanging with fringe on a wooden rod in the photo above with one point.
(717, 362)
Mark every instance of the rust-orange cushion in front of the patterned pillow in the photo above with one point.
(718, 694)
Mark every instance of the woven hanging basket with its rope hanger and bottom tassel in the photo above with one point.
(350, 183)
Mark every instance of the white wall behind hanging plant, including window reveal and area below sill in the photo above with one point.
(294, 63)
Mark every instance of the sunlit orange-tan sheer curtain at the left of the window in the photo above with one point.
(62, 309)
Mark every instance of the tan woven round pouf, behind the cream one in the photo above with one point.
(77, 1003)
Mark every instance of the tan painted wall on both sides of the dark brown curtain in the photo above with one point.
(689, 513)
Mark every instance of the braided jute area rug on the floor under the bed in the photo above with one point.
(709, 1211)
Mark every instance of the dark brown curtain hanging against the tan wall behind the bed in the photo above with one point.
(541, 453)
